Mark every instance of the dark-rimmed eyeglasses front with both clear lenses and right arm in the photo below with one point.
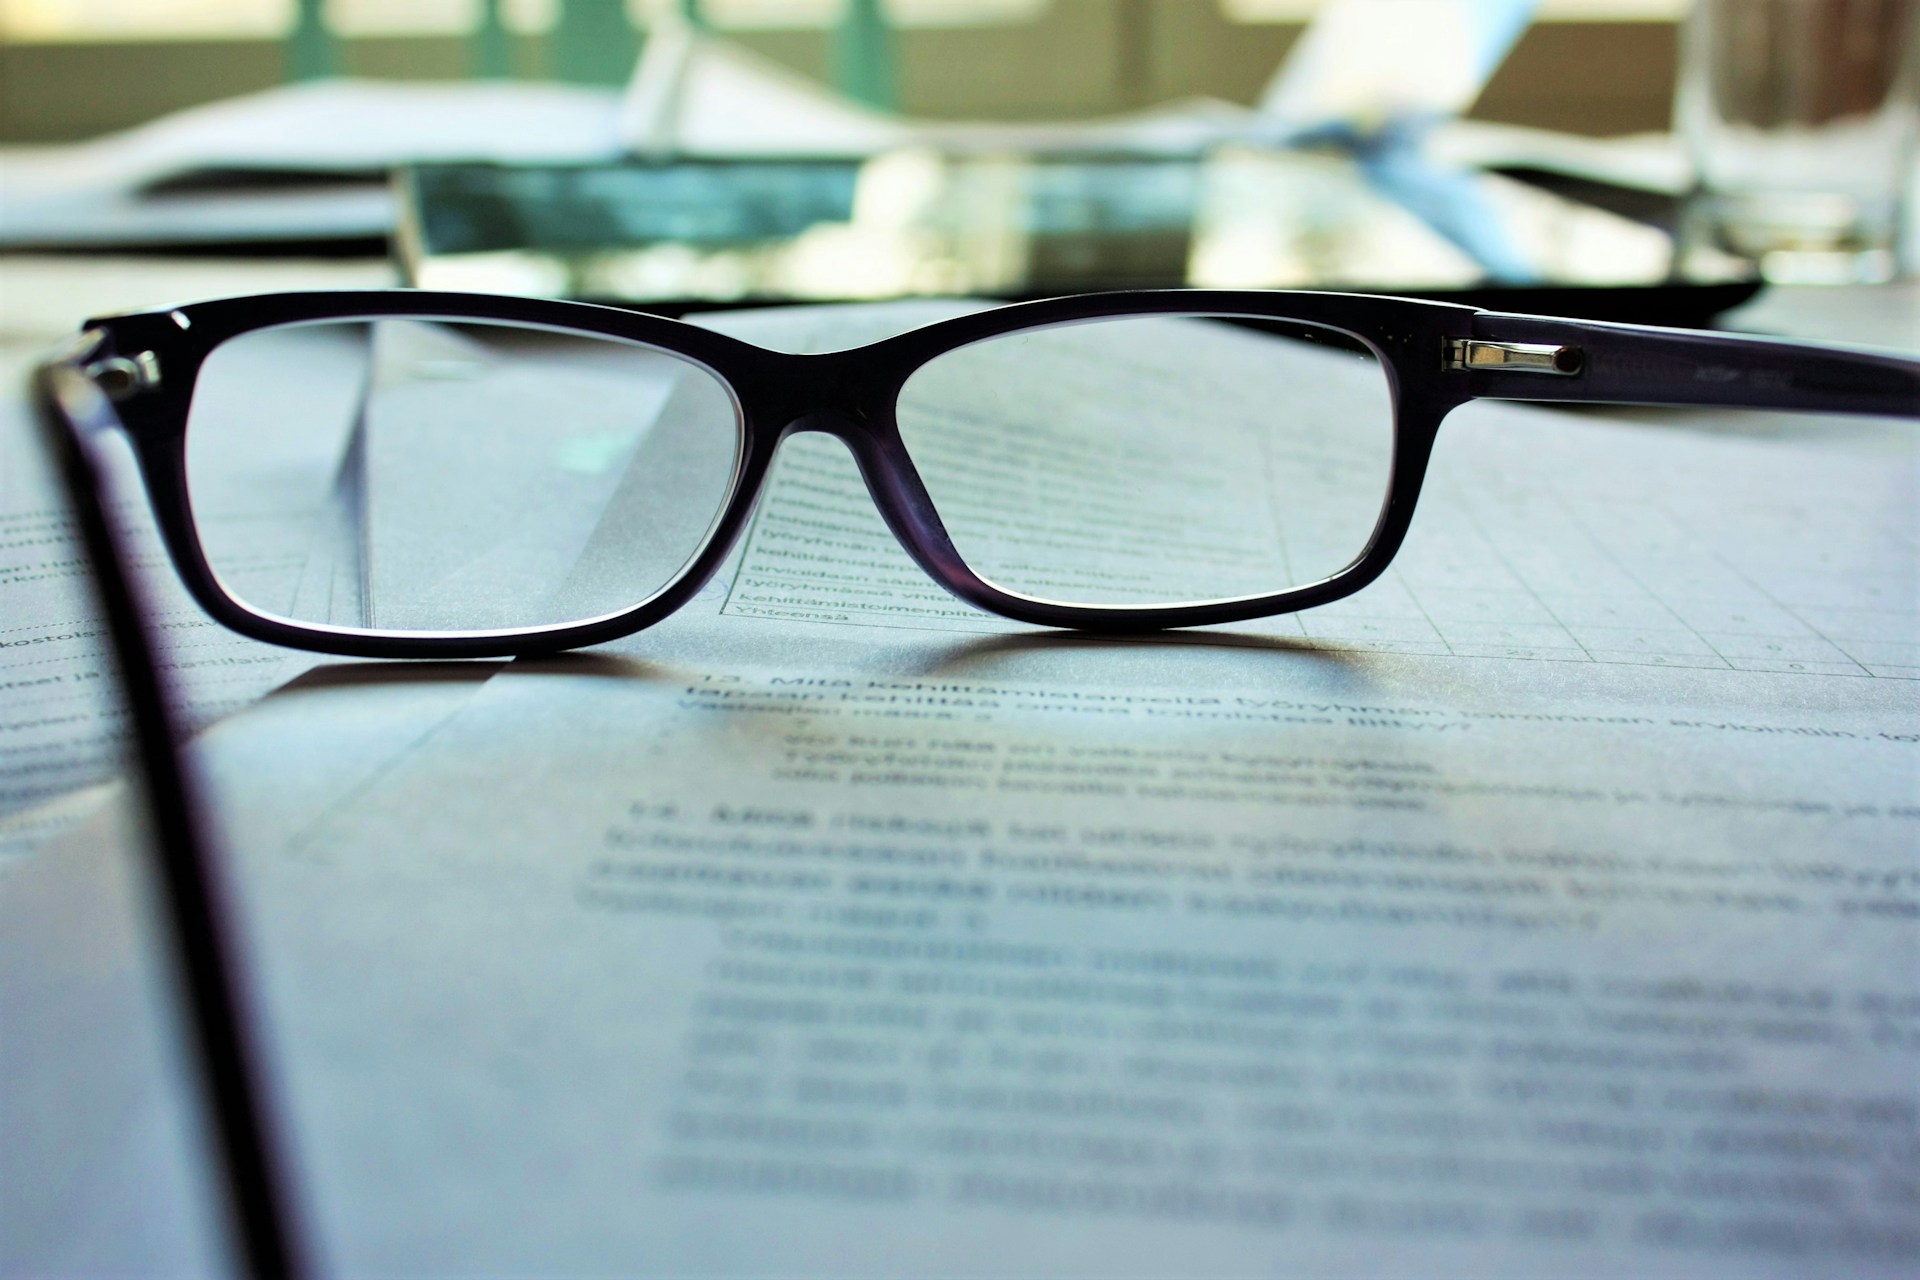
(412, 475)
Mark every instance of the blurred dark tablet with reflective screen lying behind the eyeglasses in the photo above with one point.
(690, 235)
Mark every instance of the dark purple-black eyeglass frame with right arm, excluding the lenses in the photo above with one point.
(1435, 358)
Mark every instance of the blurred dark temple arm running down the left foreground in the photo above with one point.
(72, 414)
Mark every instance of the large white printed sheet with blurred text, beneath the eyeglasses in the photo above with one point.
(1550, 909)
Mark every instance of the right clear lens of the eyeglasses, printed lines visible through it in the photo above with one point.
(1237, 463)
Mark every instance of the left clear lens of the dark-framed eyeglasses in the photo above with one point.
(412, 475)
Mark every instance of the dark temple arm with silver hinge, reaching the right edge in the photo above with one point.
(1593, 362)
